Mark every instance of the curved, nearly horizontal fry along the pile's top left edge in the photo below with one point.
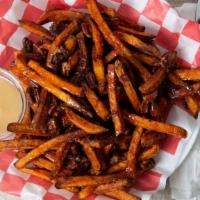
(59, 15)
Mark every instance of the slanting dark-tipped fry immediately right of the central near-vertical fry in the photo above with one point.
(128, 87)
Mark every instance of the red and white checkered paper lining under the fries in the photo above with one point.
(173, 33)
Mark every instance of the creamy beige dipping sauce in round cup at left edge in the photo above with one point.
(10, 104)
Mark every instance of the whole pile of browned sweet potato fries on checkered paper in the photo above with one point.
(98, 91)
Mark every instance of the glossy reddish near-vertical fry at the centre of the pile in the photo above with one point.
(114, 107)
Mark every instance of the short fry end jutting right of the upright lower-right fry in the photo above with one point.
(150, 152)
